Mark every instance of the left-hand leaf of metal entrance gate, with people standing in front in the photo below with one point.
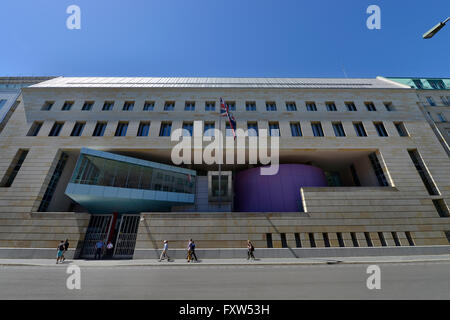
(98, 229)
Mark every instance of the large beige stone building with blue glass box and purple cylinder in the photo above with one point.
(92, 158)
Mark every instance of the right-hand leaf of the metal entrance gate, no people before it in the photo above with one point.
(126, 236)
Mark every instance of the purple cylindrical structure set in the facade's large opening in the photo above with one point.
(277, 193)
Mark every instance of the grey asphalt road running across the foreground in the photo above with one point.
(428, 280)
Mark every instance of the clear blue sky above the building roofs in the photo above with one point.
(230, 38)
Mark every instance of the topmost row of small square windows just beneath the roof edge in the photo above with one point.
(211, 106)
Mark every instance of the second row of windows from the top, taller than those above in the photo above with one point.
(252, 126)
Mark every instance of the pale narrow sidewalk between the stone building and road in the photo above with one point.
(227, 262)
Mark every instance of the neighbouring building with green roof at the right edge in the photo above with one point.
(434, 100)
